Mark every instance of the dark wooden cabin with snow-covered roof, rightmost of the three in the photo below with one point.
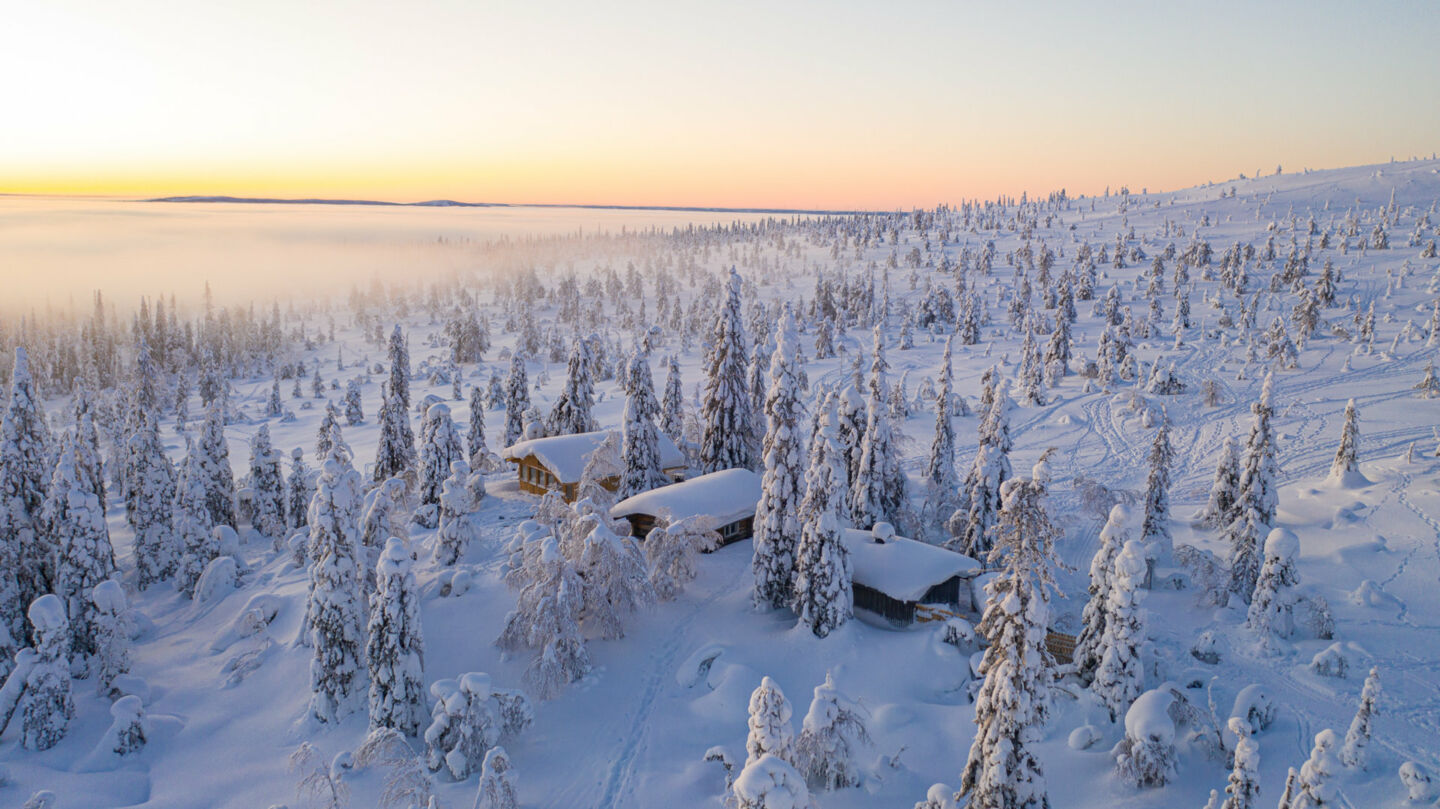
(894, 575)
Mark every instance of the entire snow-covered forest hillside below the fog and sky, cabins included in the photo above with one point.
(1099, 502)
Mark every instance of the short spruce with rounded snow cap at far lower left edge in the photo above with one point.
(47, 706)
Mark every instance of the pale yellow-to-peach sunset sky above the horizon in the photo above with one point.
(827, 104)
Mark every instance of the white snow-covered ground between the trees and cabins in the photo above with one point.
(227, 708)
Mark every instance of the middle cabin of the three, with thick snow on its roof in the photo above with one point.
(728, 496)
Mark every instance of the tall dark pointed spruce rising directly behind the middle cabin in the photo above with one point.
(725, 443)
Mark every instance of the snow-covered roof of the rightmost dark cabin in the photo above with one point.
(902, 568)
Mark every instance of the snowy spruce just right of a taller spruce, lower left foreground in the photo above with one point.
(395, 650)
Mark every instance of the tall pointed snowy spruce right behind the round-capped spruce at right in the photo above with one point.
(1258, 497)
